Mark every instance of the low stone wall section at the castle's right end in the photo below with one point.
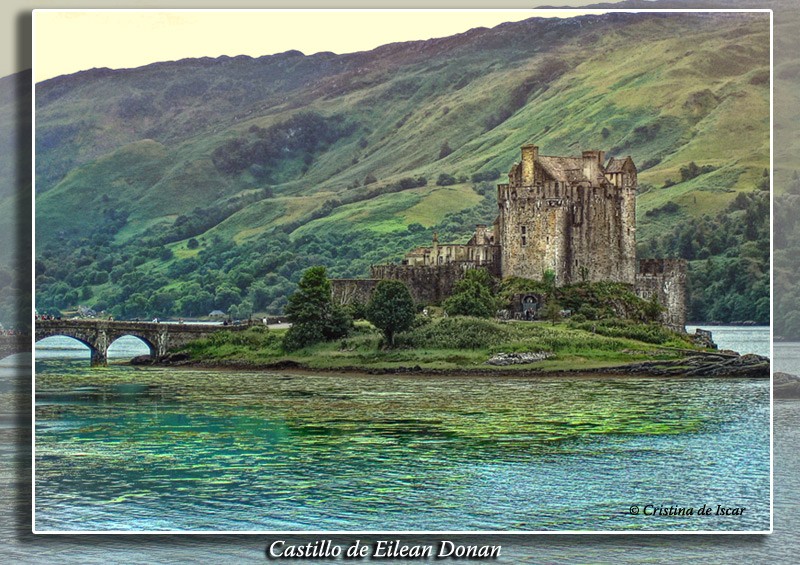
(666, 279)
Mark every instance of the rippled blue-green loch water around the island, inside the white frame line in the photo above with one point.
(131, 448)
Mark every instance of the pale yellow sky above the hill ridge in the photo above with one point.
(65, 42)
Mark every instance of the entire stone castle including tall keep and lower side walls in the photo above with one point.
(574, 217)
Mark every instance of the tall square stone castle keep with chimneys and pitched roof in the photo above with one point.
(574, 216)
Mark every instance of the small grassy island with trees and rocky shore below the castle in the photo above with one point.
(391, 335)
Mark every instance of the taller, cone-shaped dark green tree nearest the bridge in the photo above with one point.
(313, 314)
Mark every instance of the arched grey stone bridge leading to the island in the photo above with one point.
(98, 335)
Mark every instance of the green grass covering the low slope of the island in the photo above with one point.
(449, 343)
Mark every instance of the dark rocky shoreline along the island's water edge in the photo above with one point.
(705, 364)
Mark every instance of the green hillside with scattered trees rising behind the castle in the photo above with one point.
(223, 178)
